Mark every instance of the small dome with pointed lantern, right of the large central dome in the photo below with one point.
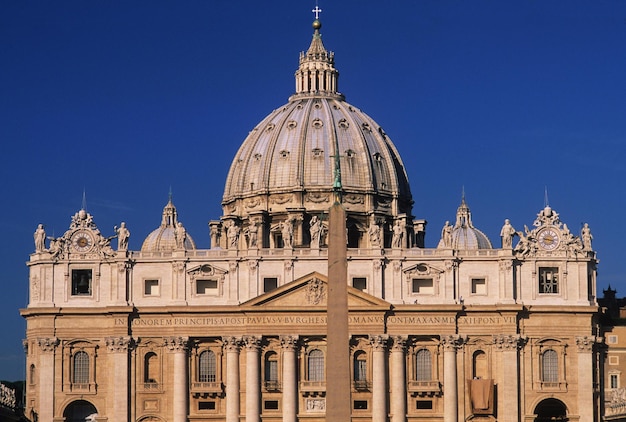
(463, 235)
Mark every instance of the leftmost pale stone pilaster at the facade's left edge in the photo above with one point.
(47, 347)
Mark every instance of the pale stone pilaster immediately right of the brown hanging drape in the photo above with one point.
(508, 384)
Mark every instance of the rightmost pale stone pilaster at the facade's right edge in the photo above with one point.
(586, 402)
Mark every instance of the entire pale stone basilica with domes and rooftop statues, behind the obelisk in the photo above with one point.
(238, 332)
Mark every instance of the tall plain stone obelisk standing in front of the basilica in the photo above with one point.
(338, 406)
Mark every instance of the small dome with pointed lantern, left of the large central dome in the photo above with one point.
(166, 236)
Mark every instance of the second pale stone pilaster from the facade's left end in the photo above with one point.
(118, 351)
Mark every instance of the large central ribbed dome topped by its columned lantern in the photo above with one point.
(288, 161)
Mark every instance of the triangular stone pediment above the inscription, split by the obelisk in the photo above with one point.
(311, 290)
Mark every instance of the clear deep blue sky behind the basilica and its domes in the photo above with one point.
(127, 99)
